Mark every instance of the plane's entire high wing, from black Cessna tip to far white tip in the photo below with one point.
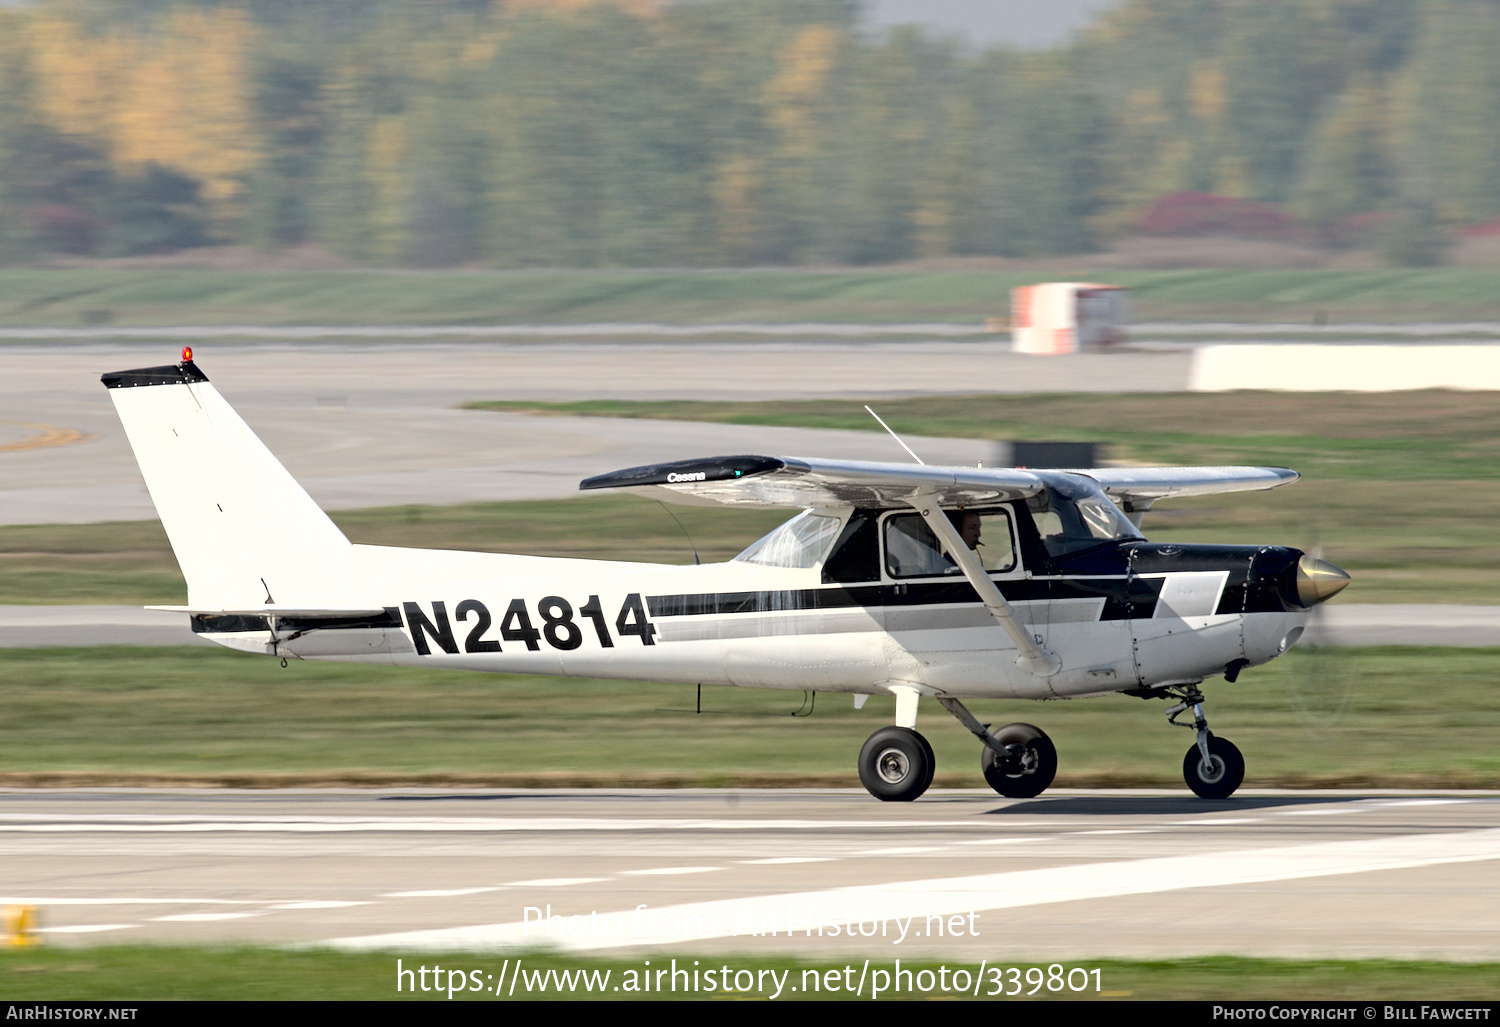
(802, 482)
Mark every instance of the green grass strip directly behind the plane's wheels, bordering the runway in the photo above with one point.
(1394, 717)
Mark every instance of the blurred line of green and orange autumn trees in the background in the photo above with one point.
(691, 133)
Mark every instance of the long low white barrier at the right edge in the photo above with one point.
(1349, 370)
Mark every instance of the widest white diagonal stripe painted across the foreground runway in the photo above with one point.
(964, 896)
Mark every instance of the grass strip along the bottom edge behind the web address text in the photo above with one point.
(260, 974)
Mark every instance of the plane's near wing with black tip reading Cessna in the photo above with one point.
(802, 482)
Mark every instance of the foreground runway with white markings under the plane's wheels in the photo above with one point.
(959, 875)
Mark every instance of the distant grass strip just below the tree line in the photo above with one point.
(196, 296)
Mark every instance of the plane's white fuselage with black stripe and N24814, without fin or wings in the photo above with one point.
(1124, 615)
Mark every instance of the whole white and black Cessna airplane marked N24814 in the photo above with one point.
(895, 579)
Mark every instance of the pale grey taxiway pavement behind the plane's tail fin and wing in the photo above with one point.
(377, 425)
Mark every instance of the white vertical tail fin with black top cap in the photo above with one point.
(244, 531)
